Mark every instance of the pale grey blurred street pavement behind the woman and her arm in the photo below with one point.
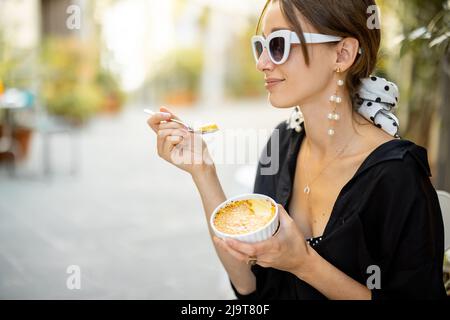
(132, 222)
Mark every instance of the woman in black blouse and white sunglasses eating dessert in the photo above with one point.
(359, 216)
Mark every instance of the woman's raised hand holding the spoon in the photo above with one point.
(177, 145)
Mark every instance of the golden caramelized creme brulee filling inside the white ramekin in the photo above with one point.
(244, 216)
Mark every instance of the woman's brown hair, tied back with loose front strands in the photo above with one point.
(344, 18)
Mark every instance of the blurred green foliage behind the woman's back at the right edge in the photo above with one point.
(426, 33)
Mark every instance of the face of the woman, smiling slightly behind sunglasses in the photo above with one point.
(295, 83)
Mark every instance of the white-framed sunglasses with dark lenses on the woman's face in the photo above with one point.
(278, 43)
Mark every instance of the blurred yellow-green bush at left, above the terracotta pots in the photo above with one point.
(74, 86)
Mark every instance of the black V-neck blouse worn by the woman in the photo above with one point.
(387, 215)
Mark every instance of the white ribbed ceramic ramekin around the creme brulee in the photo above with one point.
(261, 234)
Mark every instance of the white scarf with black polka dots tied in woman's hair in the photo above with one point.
(375, 101)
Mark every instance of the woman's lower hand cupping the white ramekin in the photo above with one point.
(287, 250)
